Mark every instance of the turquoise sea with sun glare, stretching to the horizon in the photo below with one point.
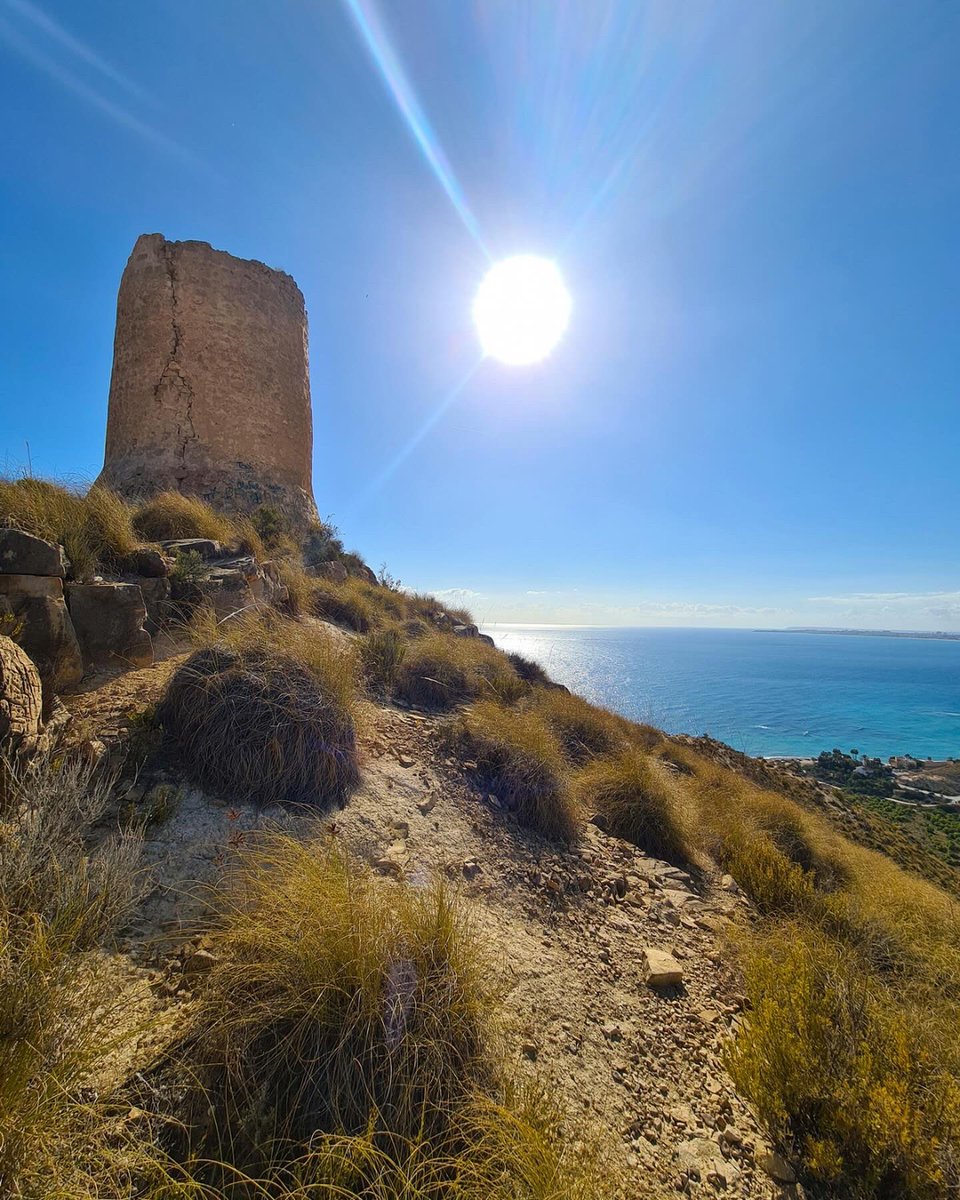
(765, 694)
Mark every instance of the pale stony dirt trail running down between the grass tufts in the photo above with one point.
(567, 932)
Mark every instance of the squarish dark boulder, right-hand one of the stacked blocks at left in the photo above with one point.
(109, 619)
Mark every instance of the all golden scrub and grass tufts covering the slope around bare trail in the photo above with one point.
(346, 1042)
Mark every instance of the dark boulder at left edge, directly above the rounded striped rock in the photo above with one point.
(47, 635)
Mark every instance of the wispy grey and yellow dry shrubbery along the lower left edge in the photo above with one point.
(64, 1016)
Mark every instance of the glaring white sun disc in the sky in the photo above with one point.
(521, 310)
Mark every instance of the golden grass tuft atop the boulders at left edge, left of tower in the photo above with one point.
(94, 529)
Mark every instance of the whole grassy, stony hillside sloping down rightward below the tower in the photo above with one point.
(355, 904)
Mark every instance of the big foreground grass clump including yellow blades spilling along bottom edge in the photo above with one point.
(345, 1046)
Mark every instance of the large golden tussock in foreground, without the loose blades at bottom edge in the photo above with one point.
(339, 1000)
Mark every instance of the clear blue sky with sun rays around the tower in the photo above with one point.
(753, 419)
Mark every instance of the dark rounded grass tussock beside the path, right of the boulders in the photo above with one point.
(259, 724)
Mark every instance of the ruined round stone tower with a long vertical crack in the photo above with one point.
(211, 386)
